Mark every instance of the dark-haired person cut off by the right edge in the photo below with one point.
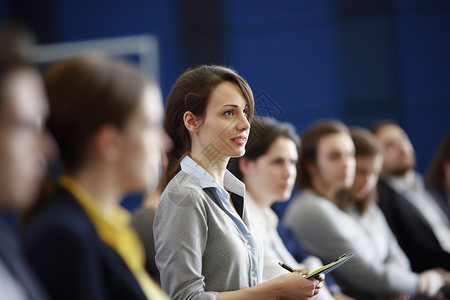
(437, 178)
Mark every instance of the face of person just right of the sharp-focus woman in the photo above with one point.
(271, 176)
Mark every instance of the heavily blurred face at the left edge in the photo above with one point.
(23, 145)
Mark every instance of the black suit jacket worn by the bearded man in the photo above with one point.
(412, 231)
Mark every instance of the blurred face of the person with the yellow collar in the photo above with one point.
(143, 141)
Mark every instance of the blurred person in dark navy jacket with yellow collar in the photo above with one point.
(106, 118)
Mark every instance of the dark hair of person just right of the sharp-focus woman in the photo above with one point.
(264, 133)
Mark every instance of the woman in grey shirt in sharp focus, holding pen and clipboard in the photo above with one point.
(204, 245)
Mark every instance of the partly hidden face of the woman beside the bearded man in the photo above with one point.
(368, 170)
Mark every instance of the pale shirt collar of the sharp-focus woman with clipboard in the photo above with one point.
(205, 180)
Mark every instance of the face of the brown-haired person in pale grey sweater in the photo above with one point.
(335, 161)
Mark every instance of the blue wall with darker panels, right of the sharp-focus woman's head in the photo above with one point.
(317, 61)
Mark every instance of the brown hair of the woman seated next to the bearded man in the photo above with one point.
(366, 145)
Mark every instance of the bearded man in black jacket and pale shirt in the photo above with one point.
(415, 217)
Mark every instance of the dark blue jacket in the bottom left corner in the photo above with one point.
(11, 255)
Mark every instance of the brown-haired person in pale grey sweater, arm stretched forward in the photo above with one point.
(327, 171)
